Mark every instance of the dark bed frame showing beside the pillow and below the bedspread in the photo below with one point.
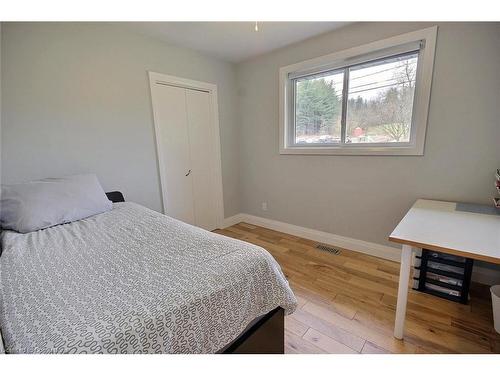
(264, 335)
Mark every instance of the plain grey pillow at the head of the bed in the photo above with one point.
(35, 205)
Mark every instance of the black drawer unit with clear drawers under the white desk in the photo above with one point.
(443, 275)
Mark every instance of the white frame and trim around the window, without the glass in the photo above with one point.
(425, 39)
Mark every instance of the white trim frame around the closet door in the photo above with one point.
(159, 78)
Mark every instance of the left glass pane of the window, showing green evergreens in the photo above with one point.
(318, 108)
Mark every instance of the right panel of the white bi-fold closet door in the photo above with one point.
(203, 161)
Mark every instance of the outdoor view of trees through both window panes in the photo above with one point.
(379, 103)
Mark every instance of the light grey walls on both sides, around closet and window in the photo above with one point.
(75, 98)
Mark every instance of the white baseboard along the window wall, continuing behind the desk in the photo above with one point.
(480, 274)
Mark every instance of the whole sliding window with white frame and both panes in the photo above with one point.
(370, 100)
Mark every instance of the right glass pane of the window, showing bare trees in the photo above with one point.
(380, 100)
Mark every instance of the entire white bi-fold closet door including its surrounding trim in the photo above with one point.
(187, 136)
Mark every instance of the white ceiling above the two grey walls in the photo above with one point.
(233, 41)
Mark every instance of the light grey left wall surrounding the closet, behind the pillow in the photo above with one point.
(76, 99)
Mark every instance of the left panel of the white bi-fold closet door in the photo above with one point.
(171, 120)
